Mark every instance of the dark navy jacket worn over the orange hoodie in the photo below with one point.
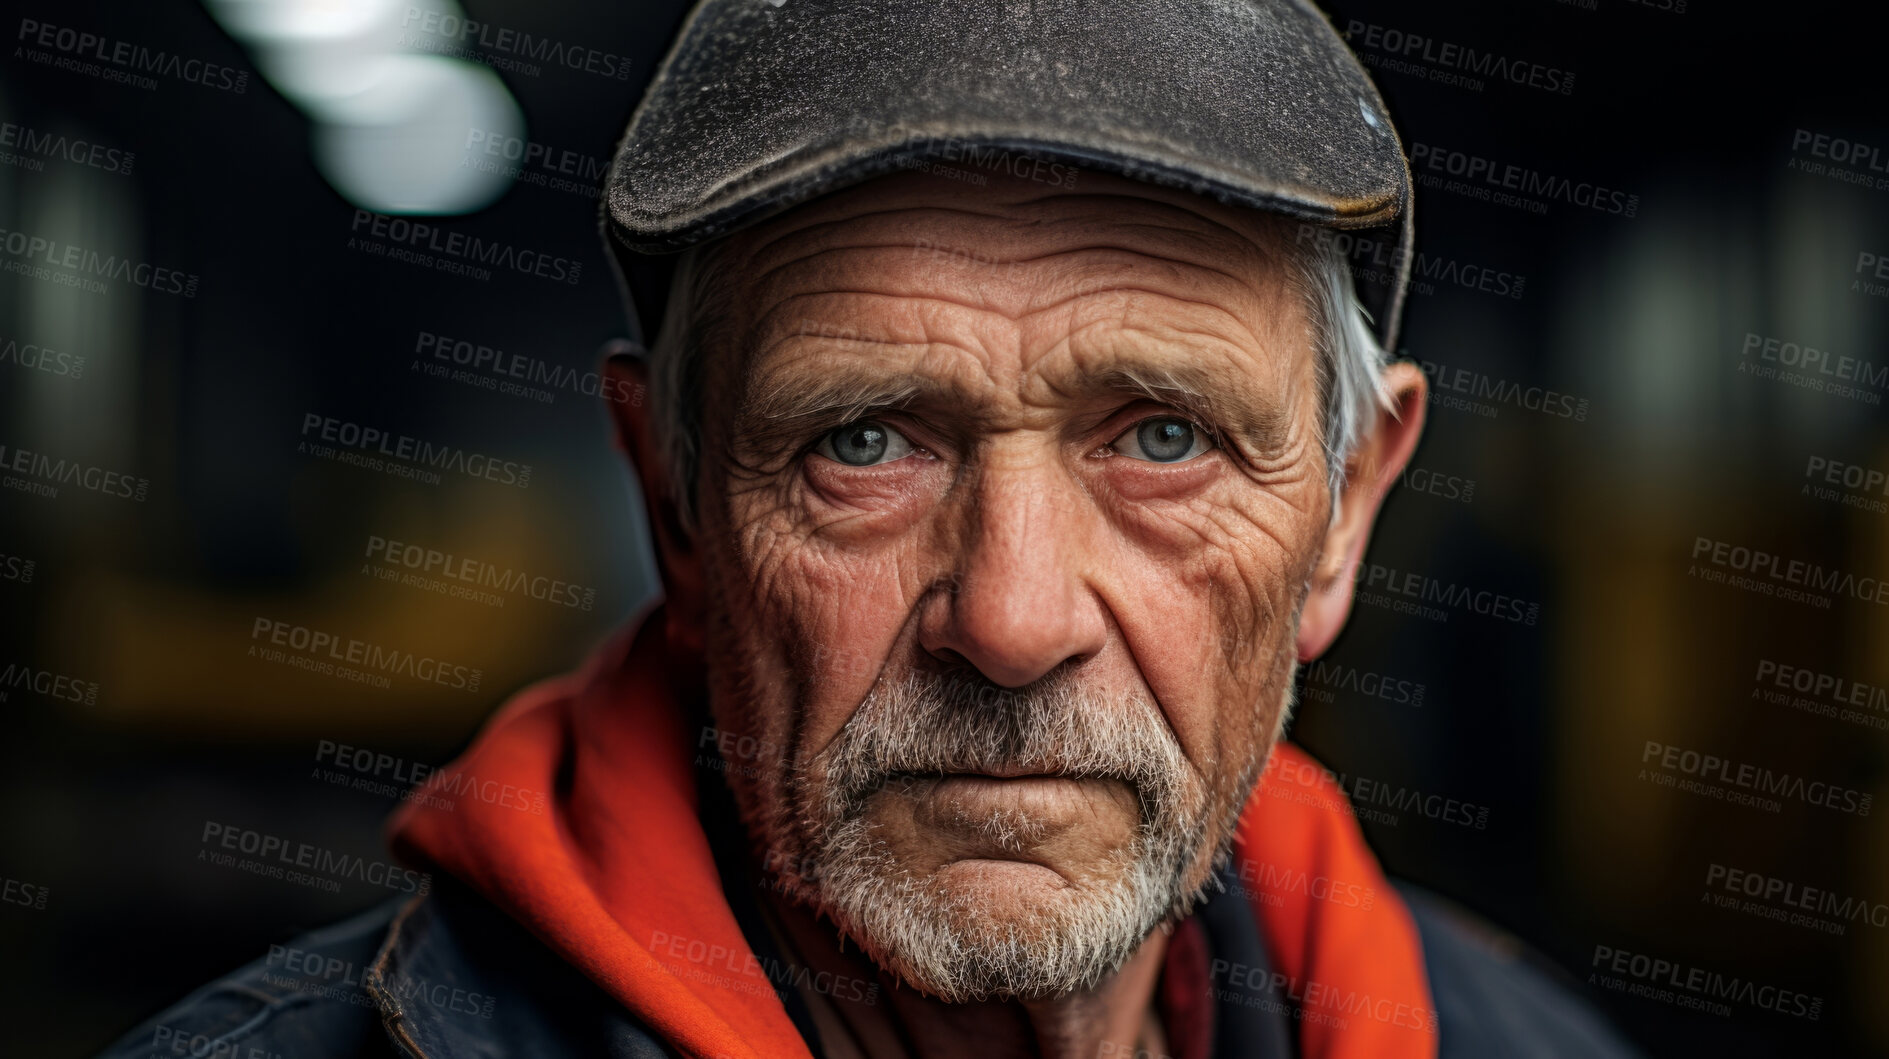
(451, 975)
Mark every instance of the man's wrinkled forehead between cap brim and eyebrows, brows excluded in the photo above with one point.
(921, 256)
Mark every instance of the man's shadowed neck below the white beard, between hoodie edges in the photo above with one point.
(1115, 1018)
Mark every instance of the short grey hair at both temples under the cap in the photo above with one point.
(1348, 356)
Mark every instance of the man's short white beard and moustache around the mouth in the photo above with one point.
(945, 941)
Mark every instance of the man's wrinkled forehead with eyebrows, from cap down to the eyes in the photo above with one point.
(991, 299)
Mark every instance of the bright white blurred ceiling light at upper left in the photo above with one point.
(392, 120)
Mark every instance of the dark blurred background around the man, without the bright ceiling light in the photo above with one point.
(1597, 416)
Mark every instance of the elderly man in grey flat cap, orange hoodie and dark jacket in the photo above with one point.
(1013, 426)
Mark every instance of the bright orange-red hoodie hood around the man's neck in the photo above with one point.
(577, 815)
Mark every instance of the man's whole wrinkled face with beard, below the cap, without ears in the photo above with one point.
(1010, 501)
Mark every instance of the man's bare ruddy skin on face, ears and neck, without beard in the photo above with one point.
(1021, 533)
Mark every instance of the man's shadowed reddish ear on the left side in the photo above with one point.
(632, 416)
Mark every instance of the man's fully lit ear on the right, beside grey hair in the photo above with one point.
(1370, 473)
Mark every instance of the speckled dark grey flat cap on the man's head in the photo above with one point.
(764, 105)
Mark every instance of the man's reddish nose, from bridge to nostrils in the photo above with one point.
(1019, 601)
